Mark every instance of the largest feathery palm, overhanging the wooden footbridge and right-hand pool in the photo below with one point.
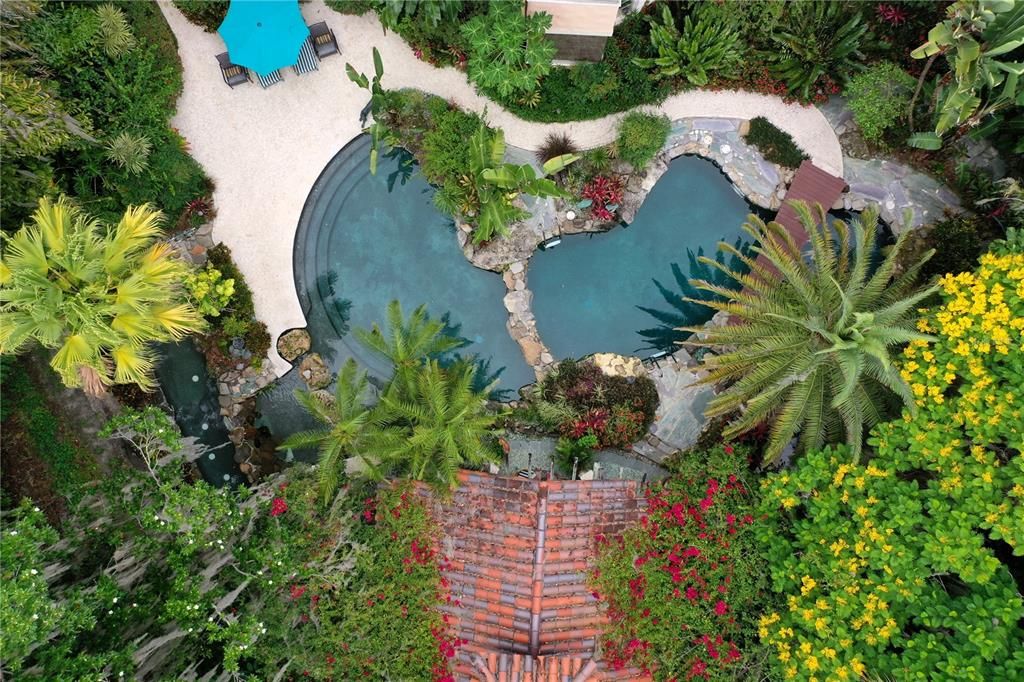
(809, 351)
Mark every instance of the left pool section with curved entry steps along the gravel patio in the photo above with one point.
(365, 240)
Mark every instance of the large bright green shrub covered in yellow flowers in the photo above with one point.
(888, 569)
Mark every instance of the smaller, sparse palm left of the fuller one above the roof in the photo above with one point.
(347, 421)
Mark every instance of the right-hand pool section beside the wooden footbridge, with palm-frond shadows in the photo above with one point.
(621, 291)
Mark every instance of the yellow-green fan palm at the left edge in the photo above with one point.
(99, 294)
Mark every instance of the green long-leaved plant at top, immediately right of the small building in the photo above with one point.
(706, 47)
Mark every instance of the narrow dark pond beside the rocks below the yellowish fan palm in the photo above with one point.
(193, 395)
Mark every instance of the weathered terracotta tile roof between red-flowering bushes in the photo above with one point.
(519, 551)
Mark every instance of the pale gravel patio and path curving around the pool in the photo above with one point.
(265, 149)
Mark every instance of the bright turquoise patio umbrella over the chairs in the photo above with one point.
(264, 35)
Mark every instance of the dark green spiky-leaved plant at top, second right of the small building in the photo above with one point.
(821, 50)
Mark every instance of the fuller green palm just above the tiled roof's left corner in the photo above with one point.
(434, 428)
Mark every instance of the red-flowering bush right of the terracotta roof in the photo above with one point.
(684, 588)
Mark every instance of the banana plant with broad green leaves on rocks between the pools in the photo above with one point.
(493, 186)
